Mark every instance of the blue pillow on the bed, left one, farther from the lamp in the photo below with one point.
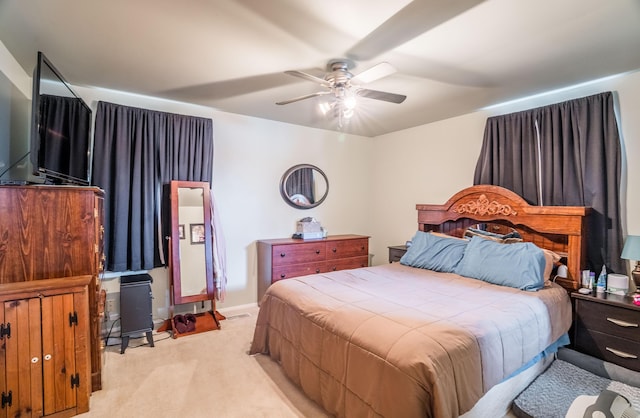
(434, 252)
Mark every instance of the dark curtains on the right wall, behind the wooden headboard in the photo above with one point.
(563, 154)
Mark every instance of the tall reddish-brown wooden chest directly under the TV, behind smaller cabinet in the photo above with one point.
(55, 232)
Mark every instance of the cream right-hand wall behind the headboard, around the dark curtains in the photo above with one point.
(429, 163)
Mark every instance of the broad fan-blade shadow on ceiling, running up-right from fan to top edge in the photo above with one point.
(413, 20)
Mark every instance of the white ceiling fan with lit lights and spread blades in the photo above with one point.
(345, 86)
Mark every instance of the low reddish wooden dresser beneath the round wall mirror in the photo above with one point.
(286, 258)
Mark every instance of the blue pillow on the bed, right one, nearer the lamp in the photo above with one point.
(519, 265)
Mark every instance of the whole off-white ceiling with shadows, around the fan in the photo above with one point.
(451, 57)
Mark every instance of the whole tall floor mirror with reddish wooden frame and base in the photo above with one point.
(191, 257)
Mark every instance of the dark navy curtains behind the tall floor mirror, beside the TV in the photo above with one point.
(136, 153)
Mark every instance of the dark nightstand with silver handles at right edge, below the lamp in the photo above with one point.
(607, 327)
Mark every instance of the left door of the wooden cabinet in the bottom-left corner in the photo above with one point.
(22, 358)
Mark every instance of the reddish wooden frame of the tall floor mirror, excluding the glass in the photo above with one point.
(175, 243)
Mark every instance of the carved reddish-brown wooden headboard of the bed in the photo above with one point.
(558, 228)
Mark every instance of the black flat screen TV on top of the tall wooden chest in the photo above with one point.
(61, 143)
